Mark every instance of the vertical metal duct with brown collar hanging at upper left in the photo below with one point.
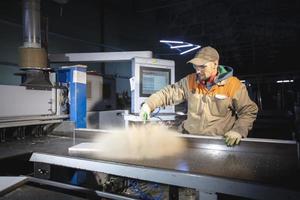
(33, 57)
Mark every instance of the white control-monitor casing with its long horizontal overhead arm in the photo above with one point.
(136, 58)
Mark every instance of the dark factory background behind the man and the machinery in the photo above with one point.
(259, 39)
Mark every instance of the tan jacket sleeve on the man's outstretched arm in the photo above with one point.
(169, 95)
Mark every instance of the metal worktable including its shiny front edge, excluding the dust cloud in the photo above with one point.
(259, 169)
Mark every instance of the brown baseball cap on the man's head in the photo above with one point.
(205, 55)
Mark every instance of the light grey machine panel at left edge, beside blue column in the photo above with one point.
(18, 109)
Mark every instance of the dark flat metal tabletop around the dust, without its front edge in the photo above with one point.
(262, 162)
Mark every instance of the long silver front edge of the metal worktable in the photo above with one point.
(202, 183)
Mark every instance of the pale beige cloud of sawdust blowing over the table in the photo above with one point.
(144, 142)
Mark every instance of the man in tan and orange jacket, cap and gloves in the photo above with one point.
(218, 103)
